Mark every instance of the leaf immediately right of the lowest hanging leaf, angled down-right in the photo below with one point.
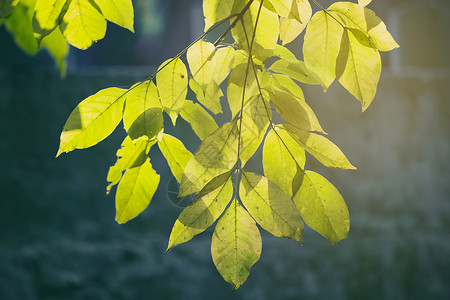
(270, 206)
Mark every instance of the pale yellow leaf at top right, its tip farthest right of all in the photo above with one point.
(358, 17)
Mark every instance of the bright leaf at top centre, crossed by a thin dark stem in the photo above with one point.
(266, 35)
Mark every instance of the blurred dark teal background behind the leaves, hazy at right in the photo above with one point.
(58, 237)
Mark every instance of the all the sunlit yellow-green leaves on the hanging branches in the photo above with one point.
(341, 42)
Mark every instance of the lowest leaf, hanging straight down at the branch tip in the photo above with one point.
(236, 244)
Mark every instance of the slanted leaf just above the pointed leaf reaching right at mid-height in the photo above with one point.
(294, 110)
